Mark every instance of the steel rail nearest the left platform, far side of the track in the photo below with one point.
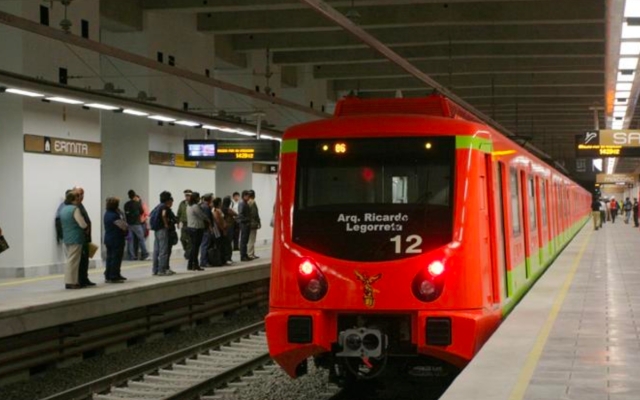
(99, 385)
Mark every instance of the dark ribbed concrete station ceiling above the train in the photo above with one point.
(535, 66)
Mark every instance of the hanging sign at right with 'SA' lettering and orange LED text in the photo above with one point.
(608, 143)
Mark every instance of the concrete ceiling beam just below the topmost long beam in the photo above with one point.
(431, 35)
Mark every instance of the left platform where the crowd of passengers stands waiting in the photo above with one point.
(30, 304)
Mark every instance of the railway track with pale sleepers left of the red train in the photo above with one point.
(187, 374)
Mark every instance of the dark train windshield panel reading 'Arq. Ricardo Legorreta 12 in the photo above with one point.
(374, 199)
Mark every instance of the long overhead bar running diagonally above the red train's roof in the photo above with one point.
(335, 16)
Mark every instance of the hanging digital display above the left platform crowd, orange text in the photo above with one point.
(231, 150)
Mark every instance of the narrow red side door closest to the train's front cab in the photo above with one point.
(498, 230)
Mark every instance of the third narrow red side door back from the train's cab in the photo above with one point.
(530, 224)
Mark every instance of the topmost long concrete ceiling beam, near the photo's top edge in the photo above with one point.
(403, 15)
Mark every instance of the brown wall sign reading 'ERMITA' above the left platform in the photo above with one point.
(61, 147)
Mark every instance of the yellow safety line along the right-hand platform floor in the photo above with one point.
(534, 356)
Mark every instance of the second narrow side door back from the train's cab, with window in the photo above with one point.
(517, 274)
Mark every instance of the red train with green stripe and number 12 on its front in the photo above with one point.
(406, 231)
